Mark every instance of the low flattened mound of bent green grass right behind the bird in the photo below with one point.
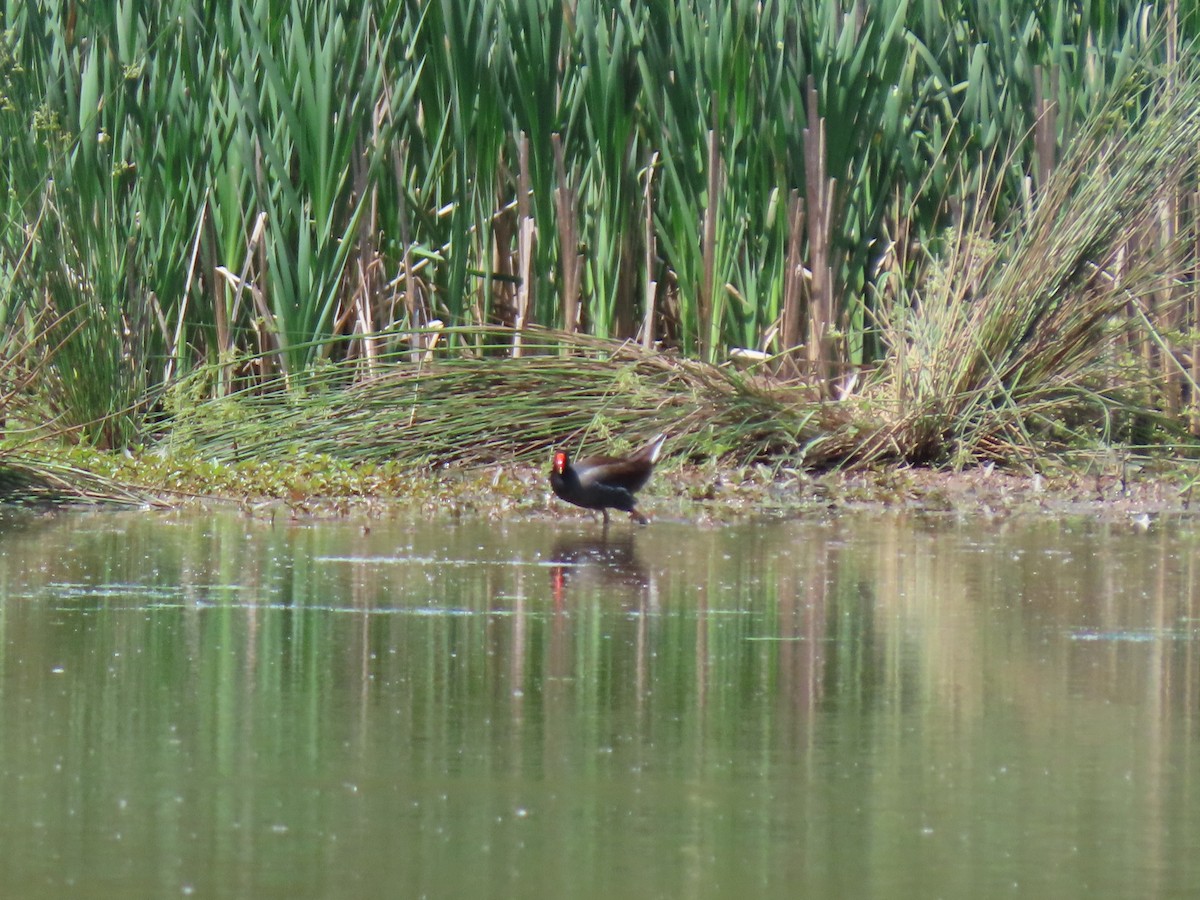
(449, 409)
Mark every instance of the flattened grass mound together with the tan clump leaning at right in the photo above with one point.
(1010, 344)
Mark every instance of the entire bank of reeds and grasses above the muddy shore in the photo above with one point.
(946, 227)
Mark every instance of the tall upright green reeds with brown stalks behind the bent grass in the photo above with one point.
(269, 185)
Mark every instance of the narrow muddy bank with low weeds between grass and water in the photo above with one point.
(303, 485)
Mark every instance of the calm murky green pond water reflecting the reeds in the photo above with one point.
(868, 706)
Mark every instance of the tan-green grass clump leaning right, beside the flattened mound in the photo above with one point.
(1012, 340)
